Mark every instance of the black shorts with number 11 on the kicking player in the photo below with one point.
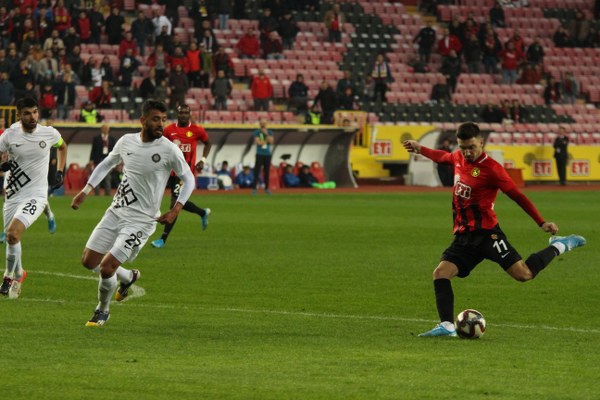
(470, 248)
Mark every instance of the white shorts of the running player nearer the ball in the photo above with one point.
(122, 238)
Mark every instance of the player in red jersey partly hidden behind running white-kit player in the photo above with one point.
(185, 135)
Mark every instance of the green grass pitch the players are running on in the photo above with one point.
(306, 296)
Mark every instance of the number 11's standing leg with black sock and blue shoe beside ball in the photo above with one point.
(444, 299)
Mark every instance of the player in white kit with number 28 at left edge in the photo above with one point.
(28, 145)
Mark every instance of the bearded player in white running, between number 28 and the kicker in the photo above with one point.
(148, 159)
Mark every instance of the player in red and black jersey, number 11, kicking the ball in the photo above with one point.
(477, 235)
